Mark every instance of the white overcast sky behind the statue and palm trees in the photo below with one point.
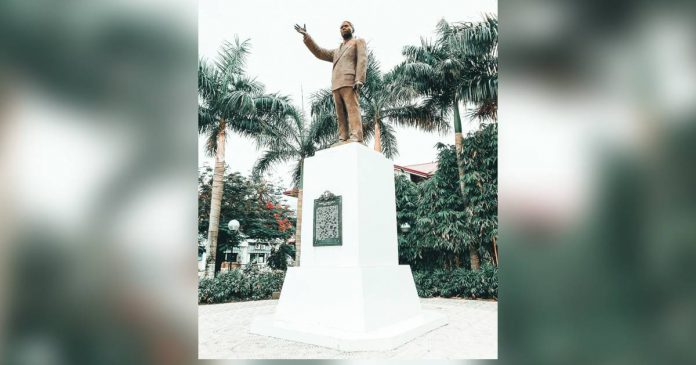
(281, 61)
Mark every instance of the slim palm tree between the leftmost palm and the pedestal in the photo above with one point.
(290, 140)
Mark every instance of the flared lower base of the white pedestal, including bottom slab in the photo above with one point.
(349, 308)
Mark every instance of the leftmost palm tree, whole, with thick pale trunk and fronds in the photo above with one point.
(230, 101)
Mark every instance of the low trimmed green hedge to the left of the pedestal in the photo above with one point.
(240, 285)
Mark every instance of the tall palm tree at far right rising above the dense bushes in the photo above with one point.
(460, 66)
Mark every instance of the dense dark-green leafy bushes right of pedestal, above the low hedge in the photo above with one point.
(443, 225)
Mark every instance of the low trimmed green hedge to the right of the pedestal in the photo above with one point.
(458, 283)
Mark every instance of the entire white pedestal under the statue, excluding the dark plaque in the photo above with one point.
(353, 297)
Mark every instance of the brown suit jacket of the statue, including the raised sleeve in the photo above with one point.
(349, 60)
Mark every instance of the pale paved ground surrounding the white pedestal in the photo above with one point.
(472, 333)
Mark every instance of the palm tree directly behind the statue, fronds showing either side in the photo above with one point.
(386, 101)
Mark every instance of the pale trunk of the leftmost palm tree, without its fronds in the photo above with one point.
(216, 200)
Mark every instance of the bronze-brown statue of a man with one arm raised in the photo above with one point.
(349, 71)
